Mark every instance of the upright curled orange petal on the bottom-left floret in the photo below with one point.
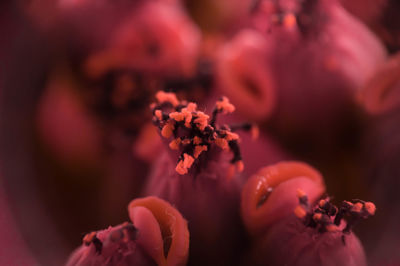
(163, 230)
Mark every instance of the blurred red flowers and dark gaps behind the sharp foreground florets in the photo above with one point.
(320, 78)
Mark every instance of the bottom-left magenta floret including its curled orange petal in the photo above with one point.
(158, 235)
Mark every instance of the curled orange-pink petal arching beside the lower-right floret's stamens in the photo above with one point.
(270, 195)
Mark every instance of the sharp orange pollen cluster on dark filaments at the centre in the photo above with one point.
(193, 131)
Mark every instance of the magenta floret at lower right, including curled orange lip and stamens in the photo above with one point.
(315, 235)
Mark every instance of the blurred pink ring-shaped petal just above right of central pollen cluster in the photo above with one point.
(244, 75)
